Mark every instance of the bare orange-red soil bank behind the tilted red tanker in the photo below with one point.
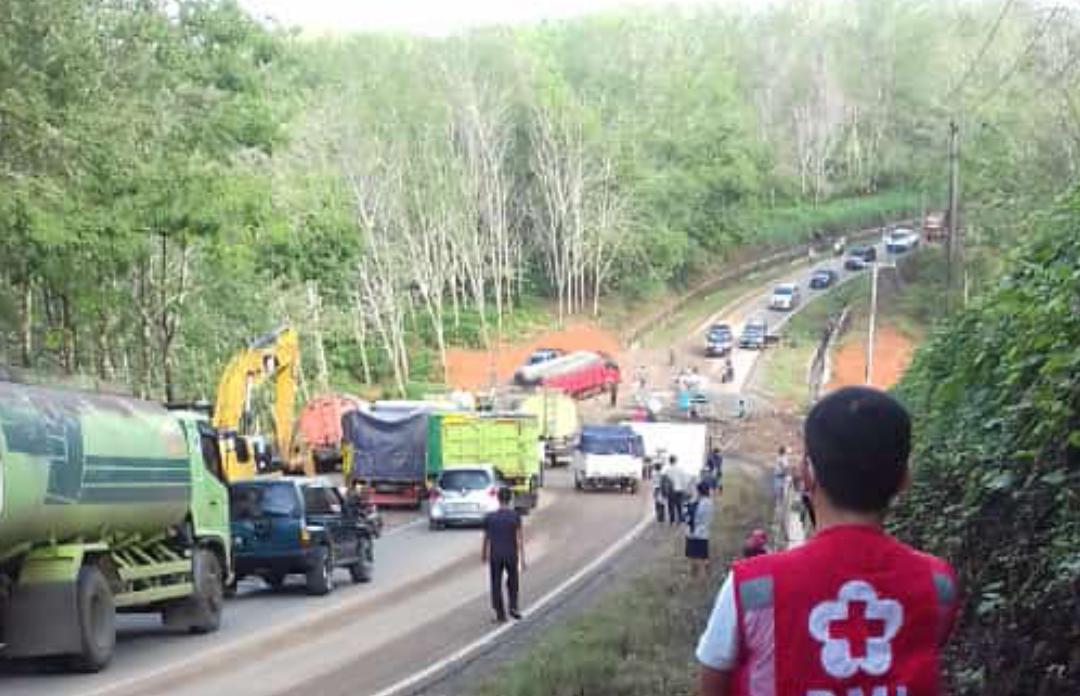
(472, 369)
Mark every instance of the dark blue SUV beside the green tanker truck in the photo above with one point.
(285, 527)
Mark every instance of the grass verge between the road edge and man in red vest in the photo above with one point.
(640, 640)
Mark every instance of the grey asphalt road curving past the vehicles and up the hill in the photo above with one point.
(429, 596)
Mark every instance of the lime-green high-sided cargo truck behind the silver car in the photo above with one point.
(509, 444)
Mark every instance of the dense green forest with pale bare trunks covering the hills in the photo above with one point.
(178, 178)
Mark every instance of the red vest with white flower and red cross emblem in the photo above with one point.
(852, 613)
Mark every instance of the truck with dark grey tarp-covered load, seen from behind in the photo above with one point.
(388, 453)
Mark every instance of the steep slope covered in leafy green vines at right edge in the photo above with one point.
(996, 398)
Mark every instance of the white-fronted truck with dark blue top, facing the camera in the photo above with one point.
(609, 457)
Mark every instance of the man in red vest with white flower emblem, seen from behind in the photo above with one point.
(853, 612)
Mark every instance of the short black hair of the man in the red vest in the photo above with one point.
(859, 440)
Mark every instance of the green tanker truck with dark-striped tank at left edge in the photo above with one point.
(107, 505)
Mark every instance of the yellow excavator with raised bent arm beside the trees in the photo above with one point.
(275, 357)
